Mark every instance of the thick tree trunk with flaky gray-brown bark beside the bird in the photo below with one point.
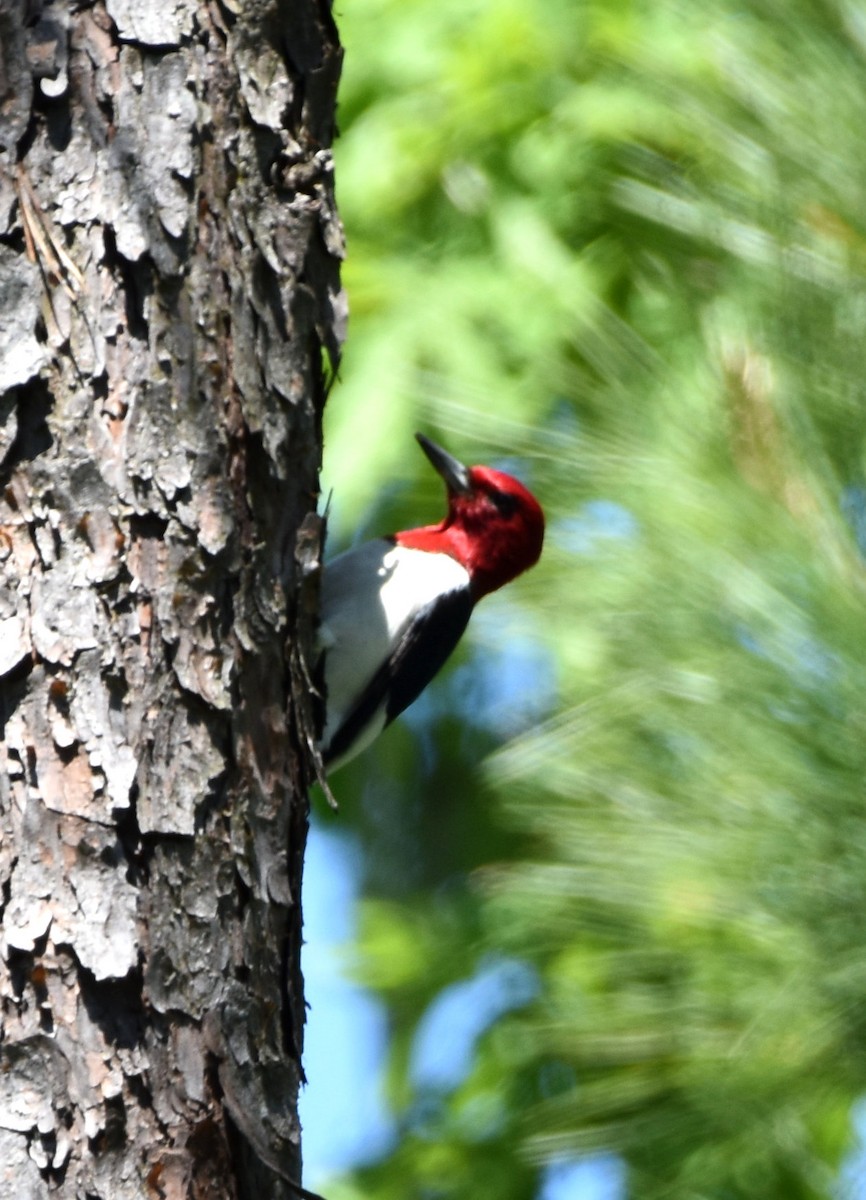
(170, 295)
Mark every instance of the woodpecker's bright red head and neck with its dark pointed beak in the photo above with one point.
(495, 526)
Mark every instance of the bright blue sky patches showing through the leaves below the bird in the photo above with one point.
(344, 1113)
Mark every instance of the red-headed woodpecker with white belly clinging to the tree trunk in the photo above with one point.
(394, 609)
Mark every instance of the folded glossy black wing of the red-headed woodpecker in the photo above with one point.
(425, 646)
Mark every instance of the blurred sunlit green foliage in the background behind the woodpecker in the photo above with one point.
(626, 243)
